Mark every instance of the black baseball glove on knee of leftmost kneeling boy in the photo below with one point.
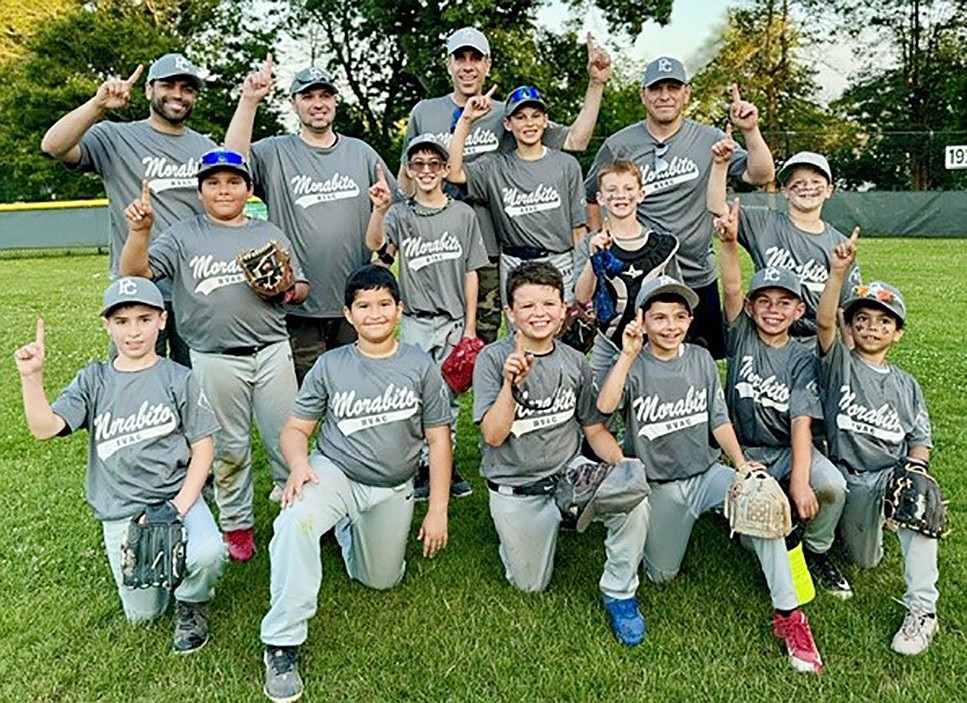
(153, 548)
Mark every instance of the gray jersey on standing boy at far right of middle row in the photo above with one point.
(772, 239)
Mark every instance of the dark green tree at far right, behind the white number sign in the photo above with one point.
(910, 95)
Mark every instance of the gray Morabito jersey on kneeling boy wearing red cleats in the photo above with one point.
(672, 408)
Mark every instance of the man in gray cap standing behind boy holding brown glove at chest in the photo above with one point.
(316, 184)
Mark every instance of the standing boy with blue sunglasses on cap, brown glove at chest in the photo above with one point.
(239, 343)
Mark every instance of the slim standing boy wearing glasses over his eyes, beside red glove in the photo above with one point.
(440, 249)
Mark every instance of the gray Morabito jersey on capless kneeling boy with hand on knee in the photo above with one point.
(374, 411)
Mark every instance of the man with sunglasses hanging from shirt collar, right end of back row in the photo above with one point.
(675, 157)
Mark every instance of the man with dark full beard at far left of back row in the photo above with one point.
(161, 150)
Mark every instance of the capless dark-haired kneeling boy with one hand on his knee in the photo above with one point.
(378, 400)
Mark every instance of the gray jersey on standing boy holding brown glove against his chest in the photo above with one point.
(214, 305)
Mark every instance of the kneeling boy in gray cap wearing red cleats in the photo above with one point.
(675, 407)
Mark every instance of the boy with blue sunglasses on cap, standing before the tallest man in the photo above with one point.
(534, 193)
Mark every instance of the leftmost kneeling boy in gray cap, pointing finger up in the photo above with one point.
(150, 441)
